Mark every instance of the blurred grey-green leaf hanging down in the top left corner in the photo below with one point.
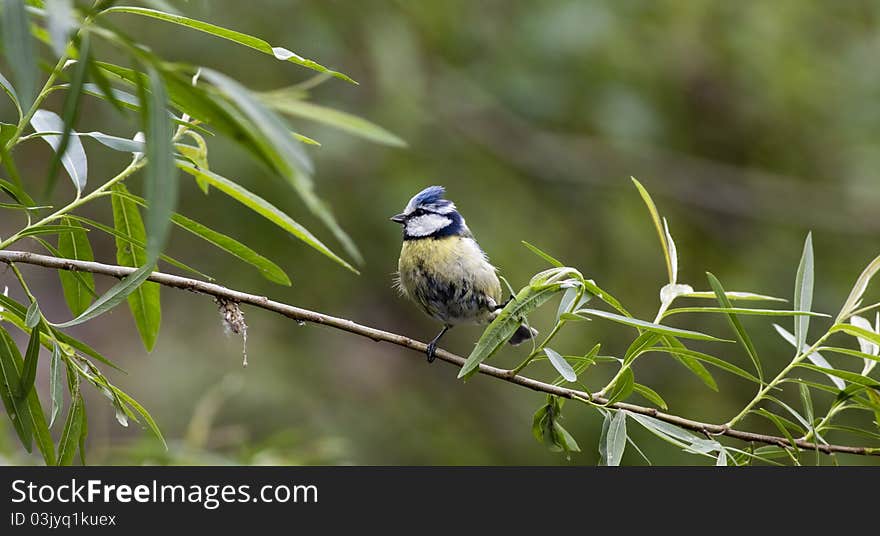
(19, 50)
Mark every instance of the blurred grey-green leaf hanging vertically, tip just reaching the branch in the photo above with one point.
(160, 181)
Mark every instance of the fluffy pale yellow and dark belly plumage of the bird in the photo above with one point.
(450, 279)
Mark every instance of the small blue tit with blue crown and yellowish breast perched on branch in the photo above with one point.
(443, 270)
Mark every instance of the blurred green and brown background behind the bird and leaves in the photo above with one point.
(751, 123)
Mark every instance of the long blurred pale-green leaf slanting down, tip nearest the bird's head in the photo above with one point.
(283, 151)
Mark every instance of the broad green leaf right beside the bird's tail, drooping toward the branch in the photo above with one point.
(504, 325)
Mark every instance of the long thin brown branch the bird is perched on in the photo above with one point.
(379, 335)
